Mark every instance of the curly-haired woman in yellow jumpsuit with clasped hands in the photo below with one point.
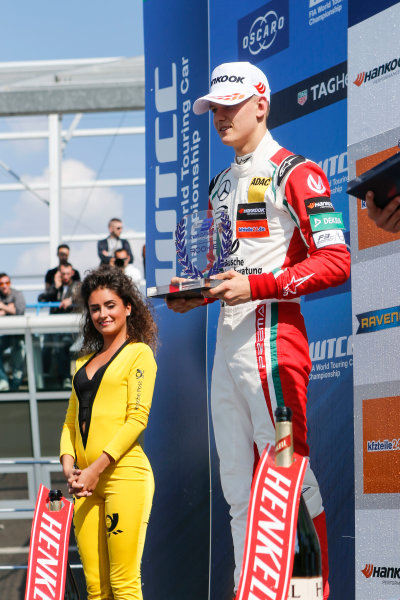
(101, 447)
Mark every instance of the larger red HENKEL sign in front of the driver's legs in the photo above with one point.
(274, 505)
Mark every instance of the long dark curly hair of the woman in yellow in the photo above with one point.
(140, 324)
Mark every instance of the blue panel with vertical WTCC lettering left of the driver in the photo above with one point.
(177, 175)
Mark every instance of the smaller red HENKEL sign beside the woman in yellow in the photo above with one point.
(48, 550)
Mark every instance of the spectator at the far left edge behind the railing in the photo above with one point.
(12, 302)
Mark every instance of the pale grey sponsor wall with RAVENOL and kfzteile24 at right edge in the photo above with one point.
(373, 136)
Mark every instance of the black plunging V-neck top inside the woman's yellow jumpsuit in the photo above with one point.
(86, 390)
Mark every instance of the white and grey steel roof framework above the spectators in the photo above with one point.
(54, 88)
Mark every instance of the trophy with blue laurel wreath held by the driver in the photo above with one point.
(203, 242)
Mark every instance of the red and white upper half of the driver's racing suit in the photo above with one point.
(292, 259)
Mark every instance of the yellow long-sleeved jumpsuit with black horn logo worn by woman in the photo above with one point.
(110, 526)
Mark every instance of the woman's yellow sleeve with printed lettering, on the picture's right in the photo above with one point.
(141, 379)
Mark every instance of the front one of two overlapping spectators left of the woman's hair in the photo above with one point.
(58, 344)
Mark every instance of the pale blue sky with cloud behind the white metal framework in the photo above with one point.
(45, 30)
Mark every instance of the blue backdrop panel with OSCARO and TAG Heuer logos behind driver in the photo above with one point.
(304, 56)
